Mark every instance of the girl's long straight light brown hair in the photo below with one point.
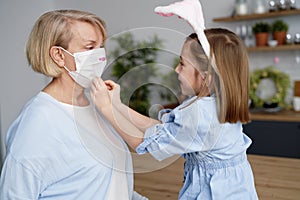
(228, 71)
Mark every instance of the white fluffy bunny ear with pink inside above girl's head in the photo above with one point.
(191, 11)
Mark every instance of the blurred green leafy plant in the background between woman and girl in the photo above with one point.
(133, 66)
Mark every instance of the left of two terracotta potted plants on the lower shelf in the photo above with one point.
(261, 32)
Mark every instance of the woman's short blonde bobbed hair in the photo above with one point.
(54, 29)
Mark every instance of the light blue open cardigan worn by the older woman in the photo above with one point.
(46, 158)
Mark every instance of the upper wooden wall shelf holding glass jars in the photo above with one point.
(258, 16)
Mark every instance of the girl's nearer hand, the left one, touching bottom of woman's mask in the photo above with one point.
(100, 93)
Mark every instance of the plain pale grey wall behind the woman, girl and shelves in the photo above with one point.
(18, 83)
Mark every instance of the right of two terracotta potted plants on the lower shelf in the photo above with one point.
(279, 30)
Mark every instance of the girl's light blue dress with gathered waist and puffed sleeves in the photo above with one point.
(216, 165)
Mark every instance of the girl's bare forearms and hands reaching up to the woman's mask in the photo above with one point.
(105, 96)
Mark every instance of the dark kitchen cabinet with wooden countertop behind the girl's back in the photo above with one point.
(274, 134)
